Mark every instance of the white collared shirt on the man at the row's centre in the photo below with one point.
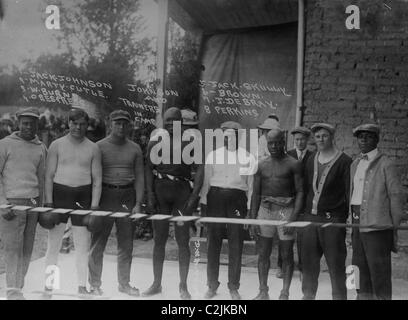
(224, 169)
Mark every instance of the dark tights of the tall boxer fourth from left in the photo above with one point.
(172, 196)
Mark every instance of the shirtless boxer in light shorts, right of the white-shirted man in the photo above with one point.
(277, 195)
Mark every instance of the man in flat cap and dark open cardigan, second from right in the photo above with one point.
(327, 184)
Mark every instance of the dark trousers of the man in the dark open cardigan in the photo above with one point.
(330, 242)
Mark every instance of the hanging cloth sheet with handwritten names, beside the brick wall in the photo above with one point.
(247, 75)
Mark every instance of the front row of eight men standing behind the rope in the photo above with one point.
(110, 176)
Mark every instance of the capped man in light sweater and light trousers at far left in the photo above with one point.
(22, 165)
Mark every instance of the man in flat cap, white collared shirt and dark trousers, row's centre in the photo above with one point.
(226, 192)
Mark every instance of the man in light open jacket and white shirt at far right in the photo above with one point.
(376, 199)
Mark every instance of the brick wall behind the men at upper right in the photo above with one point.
(356, 76)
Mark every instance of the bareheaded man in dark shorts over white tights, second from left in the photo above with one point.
(73, 180)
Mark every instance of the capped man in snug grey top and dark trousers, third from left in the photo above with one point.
(122, 191)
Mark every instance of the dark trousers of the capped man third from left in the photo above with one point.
(113, 200)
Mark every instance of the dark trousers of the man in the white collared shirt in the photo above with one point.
(225, 203)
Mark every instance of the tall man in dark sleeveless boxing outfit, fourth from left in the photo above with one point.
(171, 190)
